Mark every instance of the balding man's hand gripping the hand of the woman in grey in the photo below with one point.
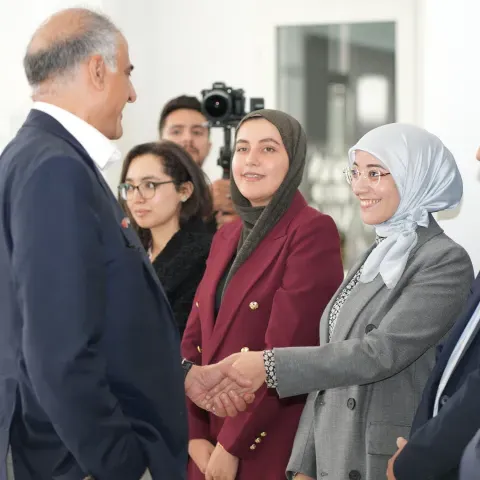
(201, 380)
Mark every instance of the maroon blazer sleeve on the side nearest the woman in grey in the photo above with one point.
(312, 275)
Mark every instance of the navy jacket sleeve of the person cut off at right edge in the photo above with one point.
(436, 448)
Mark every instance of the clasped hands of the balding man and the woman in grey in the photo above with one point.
(228, 387)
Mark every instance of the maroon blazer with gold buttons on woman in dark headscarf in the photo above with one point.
(275, 299)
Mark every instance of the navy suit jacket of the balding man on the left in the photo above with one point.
(90, 374)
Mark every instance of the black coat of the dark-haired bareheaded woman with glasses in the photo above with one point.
(180, 267)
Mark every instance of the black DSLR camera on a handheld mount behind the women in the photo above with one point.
(224, 107)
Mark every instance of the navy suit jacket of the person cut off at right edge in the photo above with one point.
(436, 444)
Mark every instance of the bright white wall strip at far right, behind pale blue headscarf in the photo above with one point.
(451, 102)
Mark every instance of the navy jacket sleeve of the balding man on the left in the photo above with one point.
(58, 263)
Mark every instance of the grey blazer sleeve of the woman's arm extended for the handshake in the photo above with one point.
(431, 294)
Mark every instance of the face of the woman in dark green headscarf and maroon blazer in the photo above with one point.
(260, 161)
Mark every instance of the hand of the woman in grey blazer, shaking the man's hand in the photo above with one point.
(247, 365)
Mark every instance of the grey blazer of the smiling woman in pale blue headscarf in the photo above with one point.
(366, 383)
